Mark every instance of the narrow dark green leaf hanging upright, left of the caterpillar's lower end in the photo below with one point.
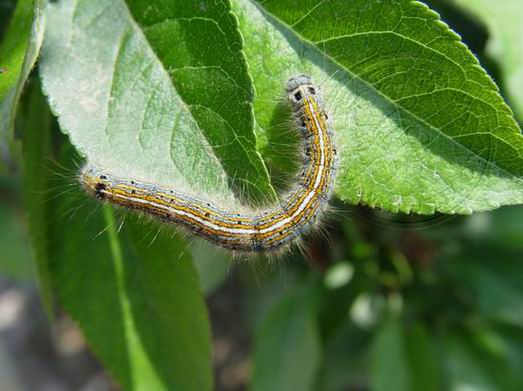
(36, 182)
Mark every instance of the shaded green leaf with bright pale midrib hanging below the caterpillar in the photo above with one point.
(134, 293)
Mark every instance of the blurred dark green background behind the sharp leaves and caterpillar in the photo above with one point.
(388, 302)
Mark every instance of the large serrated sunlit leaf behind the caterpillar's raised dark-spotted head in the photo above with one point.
(420, 125)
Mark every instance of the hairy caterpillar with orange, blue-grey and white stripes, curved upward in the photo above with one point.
(255, 231)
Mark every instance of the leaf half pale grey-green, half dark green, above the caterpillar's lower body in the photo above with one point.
(157, 91)
